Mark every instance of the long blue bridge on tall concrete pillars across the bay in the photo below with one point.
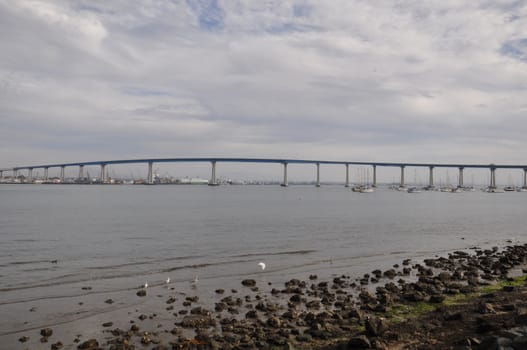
(213, 161)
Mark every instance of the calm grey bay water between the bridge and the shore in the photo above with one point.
(114, 238)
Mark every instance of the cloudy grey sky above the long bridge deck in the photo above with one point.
(419, 81)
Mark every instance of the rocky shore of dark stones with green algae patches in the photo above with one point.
(471, 299)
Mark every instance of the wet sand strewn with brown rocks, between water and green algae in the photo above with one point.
(262, 310)
